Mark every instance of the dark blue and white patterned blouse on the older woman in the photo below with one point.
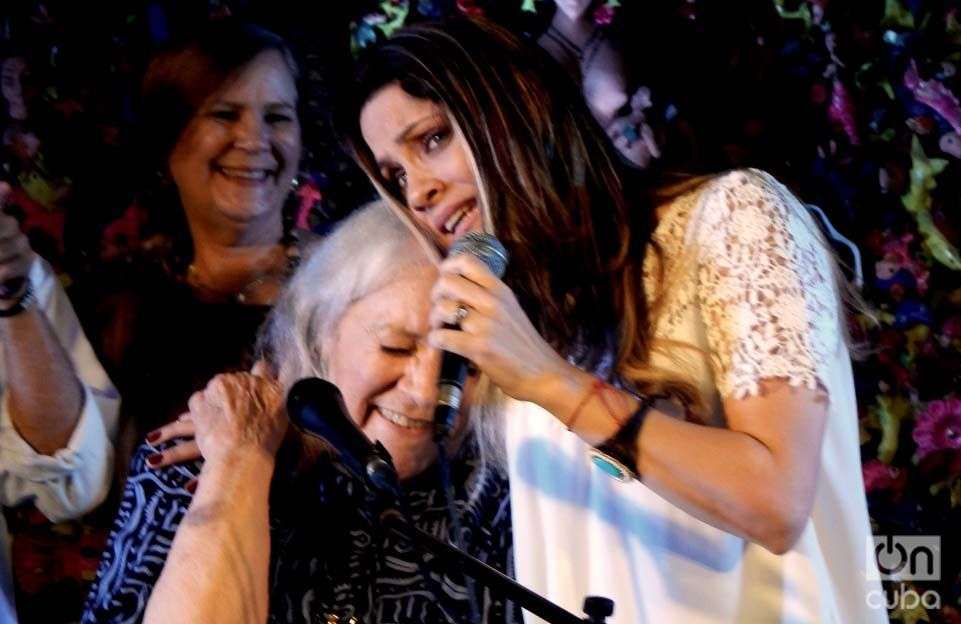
(331, 560)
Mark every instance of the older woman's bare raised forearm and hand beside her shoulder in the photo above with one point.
(239, 421)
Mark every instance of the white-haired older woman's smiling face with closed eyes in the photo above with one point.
(387, 374)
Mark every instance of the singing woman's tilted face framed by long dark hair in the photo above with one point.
(422, 160)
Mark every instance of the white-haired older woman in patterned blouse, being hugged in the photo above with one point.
(267, 531)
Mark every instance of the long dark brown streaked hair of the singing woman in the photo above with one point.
(556, 190)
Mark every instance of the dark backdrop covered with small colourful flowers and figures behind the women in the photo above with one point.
(853, 104)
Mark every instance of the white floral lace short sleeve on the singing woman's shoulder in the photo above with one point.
(765, 286)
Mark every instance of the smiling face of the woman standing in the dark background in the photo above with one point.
(236, 158)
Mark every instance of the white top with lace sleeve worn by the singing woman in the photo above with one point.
(751, 294)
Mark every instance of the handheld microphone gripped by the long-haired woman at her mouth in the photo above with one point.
(453, 367)
